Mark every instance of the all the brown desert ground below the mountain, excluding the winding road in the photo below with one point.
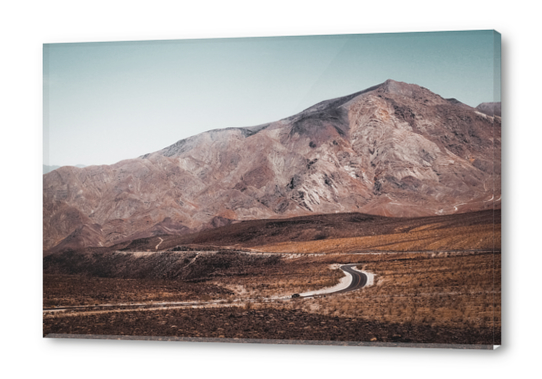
(444, 295)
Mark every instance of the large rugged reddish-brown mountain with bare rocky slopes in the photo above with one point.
(395, 149)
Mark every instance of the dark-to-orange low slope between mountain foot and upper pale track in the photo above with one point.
(278, 233)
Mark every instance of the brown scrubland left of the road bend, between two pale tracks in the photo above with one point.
(137, 276)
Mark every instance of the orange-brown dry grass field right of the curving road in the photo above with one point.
(441, 291)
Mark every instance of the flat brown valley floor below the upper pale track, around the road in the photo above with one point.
(417, 297)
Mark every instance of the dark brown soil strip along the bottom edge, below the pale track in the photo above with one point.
(262, 323)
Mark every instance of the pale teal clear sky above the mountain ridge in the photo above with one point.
(109, 101)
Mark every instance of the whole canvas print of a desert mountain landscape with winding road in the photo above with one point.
(341, 190)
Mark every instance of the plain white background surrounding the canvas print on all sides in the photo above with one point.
(25, 25)
